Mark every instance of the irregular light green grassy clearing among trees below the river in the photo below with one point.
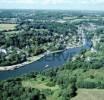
(42, 85)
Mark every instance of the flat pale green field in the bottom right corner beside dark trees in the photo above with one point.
(90, 94)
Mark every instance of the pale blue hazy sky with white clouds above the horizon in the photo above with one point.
(53, 4)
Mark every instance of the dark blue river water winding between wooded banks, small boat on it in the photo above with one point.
(49, 61)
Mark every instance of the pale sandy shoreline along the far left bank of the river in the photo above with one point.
(32, 59)
